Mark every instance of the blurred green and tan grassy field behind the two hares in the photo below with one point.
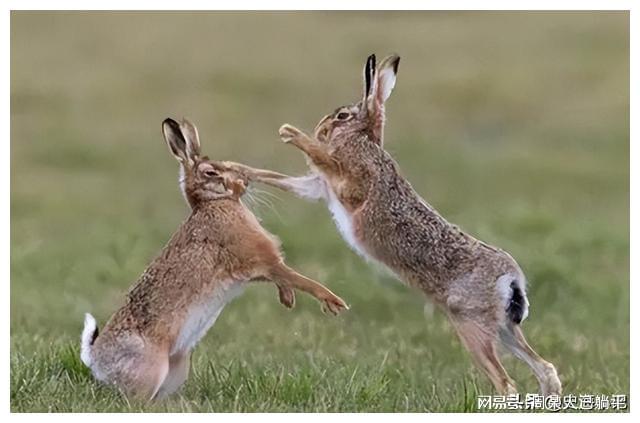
(515, 126)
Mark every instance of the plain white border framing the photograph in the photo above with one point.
(308, 5)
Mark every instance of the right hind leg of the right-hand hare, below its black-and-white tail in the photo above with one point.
(513, 339)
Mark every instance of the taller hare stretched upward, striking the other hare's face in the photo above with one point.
(480, 287)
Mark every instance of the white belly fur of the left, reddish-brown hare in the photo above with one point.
(202, 316)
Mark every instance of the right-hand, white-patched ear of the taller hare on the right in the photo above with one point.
(383, 82)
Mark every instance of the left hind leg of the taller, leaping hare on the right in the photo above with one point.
(481, 343)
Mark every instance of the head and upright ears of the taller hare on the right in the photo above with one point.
(366, 117)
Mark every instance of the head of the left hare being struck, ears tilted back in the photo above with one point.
(201, 179)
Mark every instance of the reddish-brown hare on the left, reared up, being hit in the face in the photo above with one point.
(145, 347)
